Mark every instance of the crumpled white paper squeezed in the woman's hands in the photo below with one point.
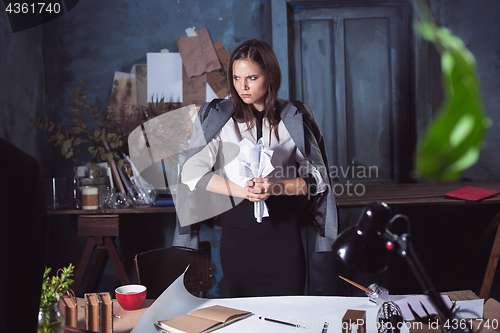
(255, 161)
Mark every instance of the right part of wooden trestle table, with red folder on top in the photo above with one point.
(420, 194)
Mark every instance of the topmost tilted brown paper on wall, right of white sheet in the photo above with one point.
(198, 53)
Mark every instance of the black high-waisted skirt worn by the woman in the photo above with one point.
(263, 259)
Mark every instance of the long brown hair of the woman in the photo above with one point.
(263, 55)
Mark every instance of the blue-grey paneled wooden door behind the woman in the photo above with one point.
(351, 63)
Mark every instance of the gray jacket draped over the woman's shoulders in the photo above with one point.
(320, 210)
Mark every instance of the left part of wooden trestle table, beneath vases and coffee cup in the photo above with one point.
(101, 226)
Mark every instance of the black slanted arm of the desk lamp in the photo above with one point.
(405, 249)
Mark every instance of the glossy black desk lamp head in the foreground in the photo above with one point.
(362, 247)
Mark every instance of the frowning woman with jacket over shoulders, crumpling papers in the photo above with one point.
(264, 259)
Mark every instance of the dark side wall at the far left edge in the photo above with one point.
(22, 88)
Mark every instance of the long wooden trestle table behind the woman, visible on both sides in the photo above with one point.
(418, 194)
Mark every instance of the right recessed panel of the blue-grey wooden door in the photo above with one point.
(368, 95)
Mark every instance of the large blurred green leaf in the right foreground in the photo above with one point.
(452, 141)
